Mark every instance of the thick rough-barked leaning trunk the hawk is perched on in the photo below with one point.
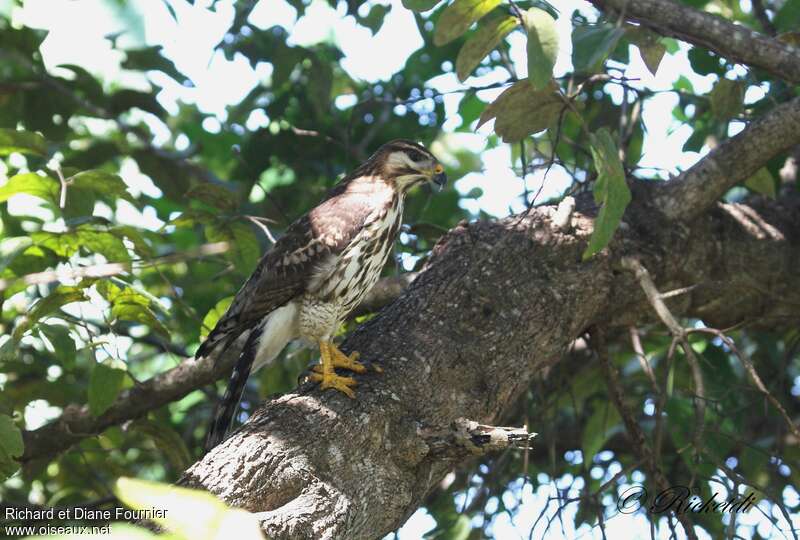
(498, 304)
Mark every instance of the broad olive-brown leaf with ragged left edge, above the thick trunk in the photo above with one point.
(520, 110)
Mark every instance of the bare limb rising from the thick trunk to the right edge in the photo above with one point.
(731, 163)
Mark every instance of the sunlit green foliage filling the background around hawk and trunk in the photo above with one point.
(89, 182)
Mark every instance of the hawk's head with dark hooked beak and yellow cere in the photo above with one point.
(408, 164)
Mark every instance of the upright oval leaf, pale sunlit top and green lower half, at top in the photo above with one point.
(542, 46)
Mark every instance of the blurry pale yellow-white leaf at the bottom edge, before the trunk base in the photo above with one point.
(190, 513)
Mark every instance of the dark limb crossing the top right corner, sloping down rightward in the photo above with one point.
(732, 41)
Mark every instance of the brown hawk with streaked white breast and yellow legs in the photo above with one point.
(318, 271)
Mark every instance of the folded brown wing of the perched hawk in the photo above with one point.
(284, 272)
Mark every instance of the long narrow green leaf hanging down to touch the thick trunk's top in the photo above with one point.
(610, 190)
